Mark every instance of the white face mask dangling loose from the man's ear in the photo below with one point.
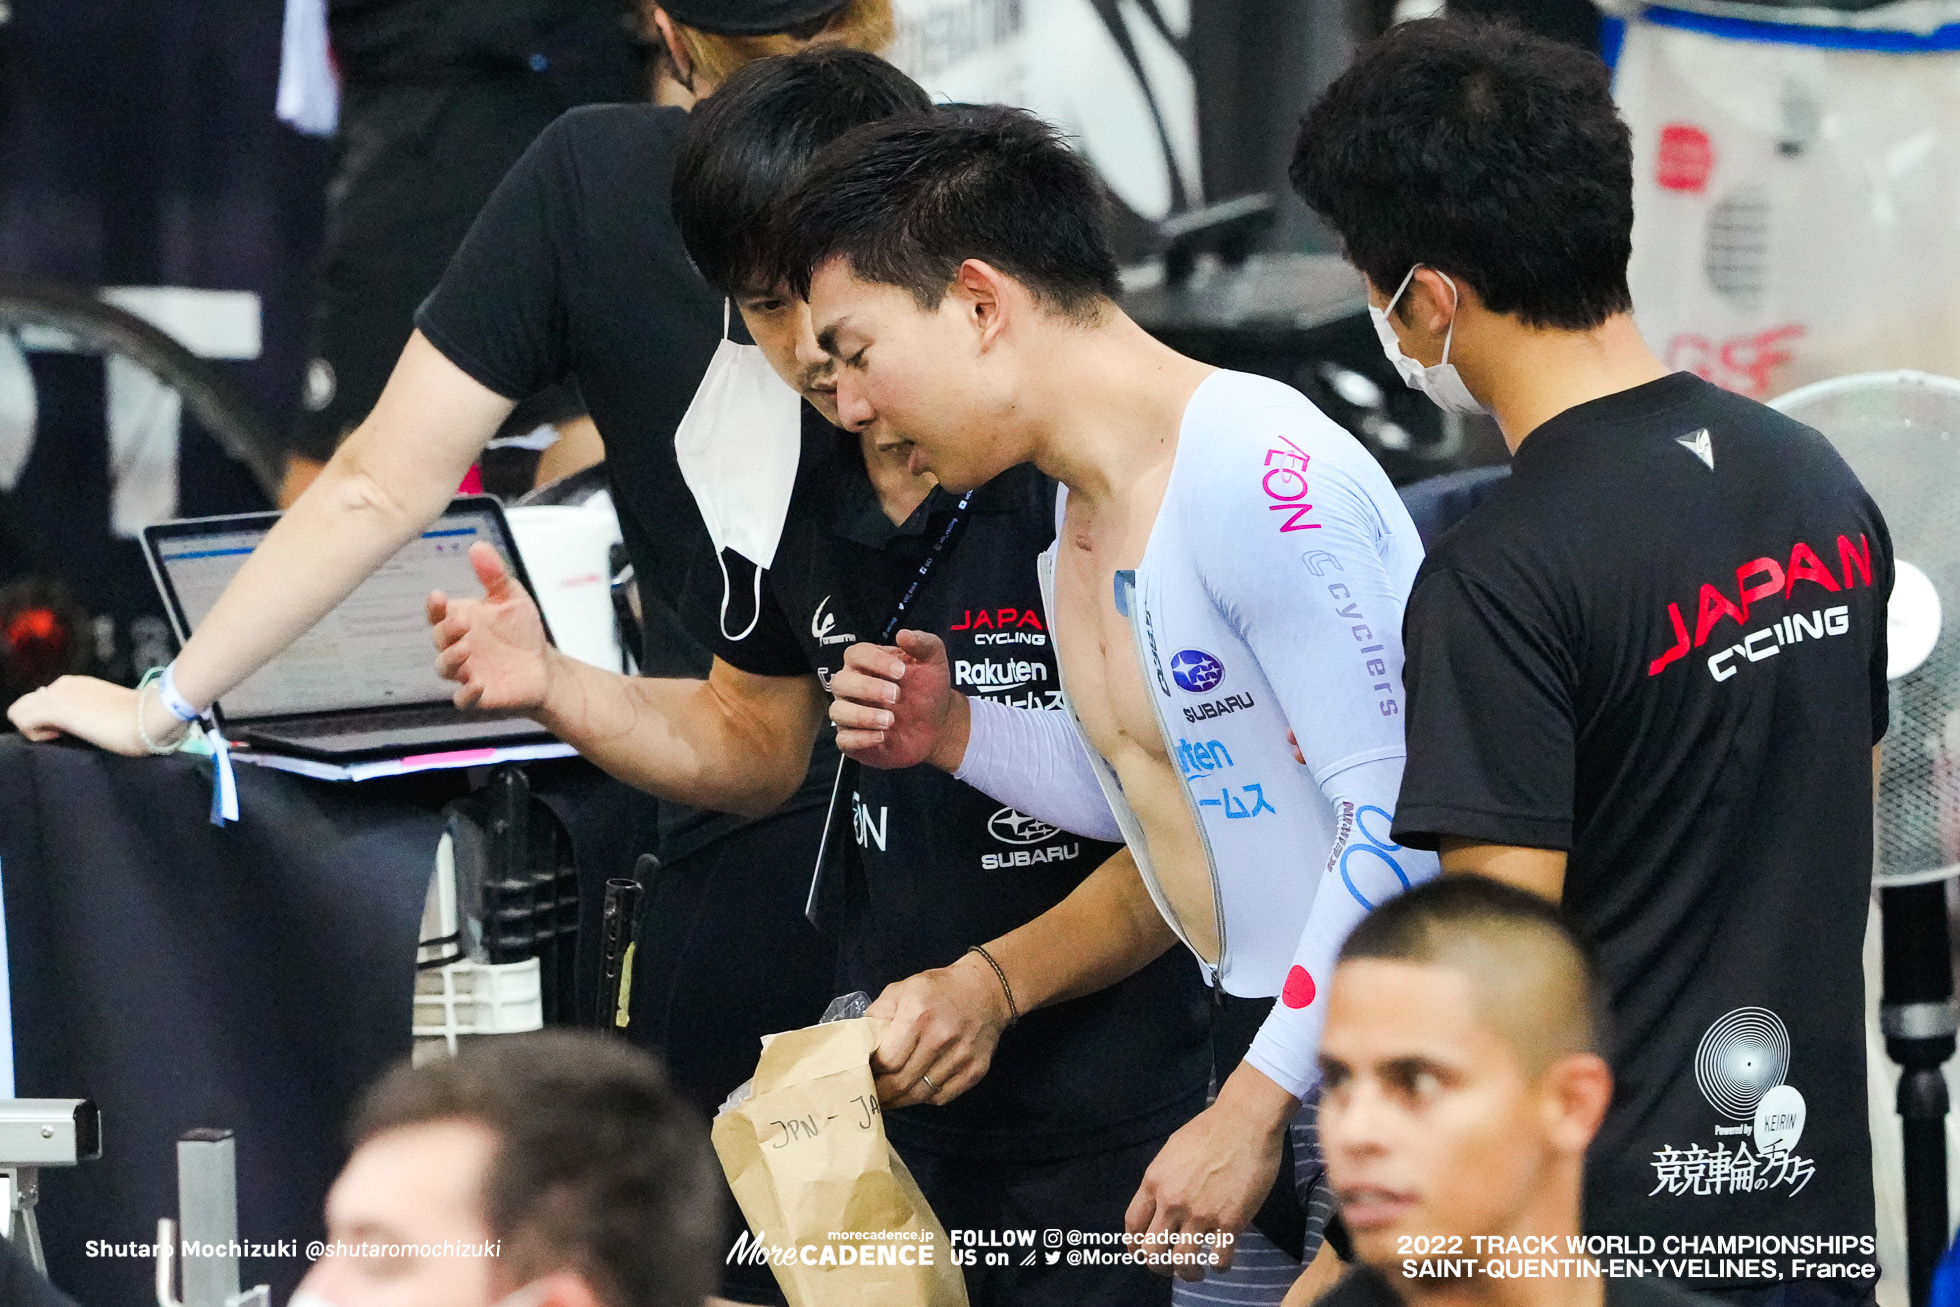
(738, 448)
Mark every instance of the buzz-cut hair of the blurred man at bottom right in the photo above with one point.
(1436, 920)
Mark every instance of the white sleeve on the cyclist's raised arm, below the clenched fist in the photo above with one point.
(1034, 761)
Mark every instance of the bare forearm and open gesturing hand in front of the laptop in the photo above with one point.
(734, 744)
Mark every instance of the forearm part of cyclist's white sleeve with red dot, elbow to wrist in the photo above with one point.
(1365, 869)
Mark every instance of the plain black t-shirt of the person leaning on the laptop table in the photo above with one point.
(575, 269)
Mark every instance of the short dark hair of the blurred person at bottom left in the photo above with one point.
(599, 1169)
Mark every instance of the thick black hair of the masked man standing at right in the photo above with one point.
(1487, 154)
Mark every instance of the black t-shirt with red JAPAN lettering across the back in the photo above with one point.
(1661, 646)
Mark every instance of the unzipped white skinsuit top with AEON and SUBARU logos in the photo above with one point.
(1269, 605)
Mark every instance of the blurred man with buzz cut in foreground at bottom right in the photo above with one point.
(1463, 1085)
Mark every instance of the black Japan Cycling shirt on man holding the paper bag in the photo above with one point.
(944, 865)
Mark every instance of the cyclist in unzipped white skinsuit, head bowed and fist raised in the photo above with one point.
(1232, 571)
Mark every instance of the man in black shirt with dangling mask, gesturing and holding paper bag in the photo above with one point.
(1077, 1098)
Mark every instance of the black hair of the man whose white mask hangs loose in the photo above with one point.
(748, 144)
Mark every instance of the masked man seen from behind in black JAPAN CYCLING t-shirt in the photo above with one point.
(1649, 671)
